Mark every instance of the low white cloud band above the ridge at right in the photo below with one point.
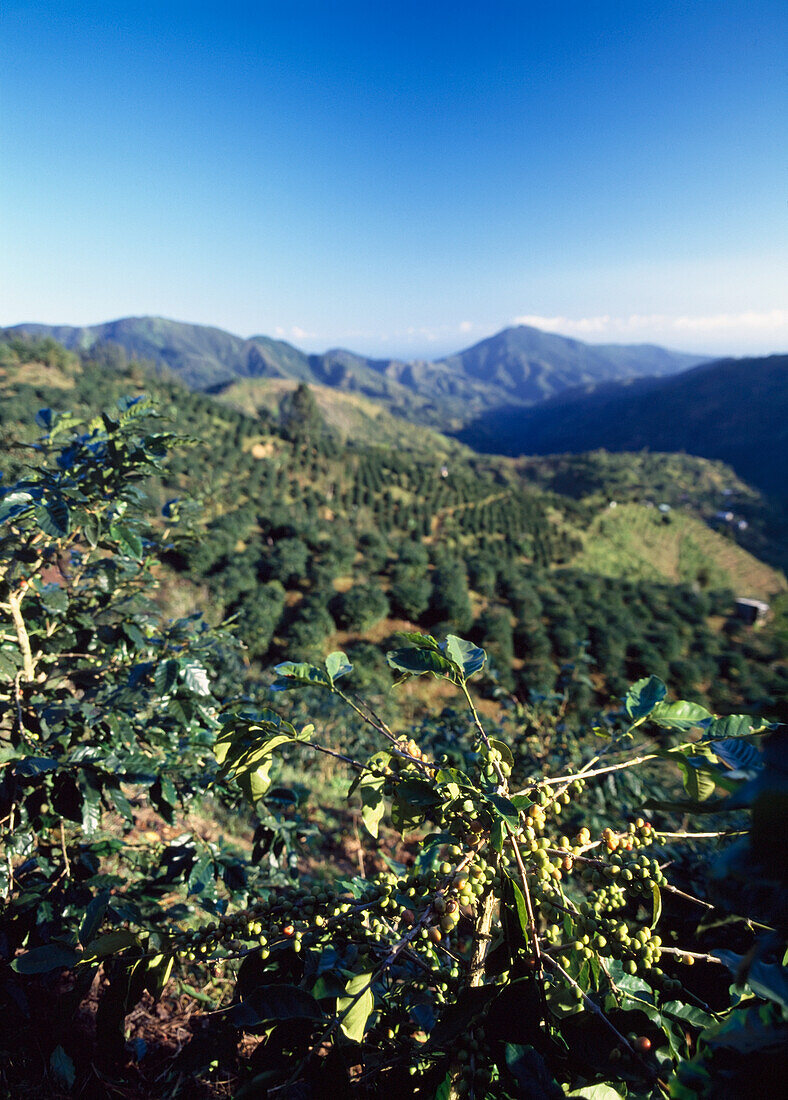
(738, 331)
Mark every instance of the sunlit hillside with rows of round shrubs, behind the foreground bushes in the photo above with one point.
(332, 524)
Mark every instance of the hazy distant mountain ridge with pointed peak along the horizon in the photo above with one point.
(518, 367)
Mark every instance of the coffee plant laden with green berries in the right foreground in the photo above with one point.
(511, 960)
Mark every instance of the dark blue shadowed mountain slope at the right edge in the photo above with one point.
(734, 410)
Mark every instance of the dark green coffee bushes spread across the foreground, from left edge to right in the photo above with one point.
(512, 958)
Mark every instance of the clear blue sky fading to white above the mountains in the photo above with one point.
(400, 178)
